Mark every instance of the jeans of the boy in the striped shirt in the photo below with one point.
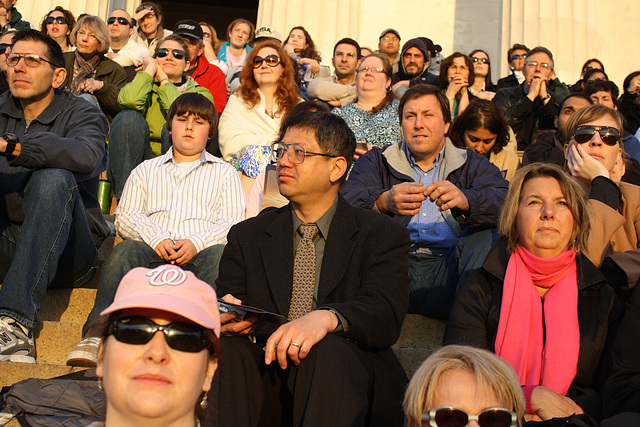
(130, 254)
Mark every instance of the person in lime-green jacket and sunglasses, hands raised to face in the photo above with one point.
(136, 133)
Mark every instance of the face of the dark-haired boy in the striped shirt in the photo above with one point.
(189, 134)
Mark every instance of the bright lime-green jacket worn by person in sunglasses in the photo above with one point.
(153, 101)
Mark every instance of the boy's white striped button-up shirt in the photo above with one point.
(162, 200)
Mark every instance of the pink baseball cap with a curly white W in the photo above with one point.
(168, 288)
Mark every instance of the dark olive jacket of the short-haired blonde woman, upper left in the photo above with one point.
(111, 74)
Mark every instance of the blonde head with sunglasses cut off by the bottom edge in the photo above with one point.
(458, 384)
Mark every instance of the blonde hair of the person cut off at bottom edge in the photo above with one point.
(490, 371)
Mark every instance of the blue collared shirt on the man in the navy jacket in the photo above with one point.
(428, 229)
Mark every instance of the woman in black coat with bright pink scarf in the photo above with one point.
(538, 302)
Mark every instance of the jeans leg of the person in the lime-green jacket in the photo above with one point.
(128, 147)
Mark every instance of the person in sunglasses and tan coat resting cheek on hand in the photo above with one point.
(595, 158)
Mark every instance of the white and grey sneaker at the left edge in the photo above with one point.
(16, 342)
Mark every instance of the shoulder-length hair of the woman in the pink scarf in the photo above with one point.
(507, 223)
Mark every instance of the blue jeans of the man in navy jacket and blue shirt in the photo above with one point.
(435, 278)
